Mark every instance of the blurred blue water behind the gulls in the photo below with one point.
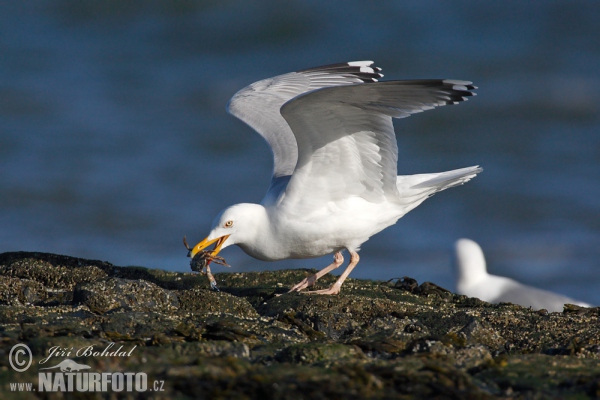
(114, 140)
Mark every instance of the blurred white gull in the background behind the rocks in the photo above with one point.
(473, 280)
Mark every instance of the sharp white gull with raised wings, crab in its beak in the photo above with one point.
(334, 182)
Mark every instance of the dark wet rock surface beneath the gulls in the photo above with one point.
(250, 340)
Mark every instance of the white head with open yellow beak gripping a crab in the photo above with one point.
(234, 225)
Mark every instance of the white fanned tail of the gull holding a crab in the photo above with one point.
(414, 189)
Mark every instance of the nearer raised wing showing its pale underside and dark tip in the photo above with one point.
(346, 141)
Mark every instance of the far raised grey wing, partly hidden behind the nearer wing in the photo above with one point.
(259, 104)
